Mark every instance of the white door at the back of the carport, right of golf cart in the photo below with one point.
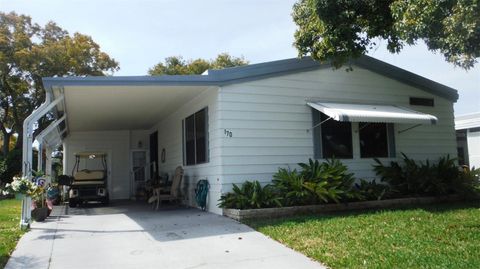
(139, 171)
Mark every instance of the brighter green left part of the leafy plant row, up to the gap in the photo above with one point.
(314, 183)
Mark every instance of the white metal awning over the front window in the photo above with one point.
(372, 113)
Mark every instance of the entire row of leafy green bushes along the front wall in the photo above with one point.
(331, 182)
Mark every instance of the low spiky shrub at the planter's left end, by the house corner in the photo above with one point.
(251, 194)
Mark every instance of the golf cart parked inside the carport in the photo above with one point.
(90, 182)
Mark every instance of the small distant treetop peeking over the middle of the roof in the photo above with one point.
(175, 65)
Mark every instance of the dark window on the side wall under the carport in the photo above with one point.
(195, 128)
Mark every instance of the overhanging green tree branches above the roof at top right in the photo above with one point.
(336, 31)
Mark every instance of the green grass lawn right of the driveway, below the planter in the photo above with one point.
(437, 236)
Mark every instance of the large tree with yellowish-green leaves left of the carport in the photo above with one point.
(29, 52)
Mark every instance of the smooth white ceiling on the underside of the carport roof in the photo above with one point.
(102, 108)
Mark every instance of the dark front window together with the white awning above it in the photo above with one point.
(332, 128)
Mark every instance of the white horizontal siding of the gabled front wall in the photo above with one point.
(269, 120)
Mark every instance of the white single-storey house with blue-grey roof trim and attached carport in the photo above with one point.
(243, 123)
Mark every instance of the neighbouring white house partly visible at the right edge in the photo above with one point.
(468, 139)
